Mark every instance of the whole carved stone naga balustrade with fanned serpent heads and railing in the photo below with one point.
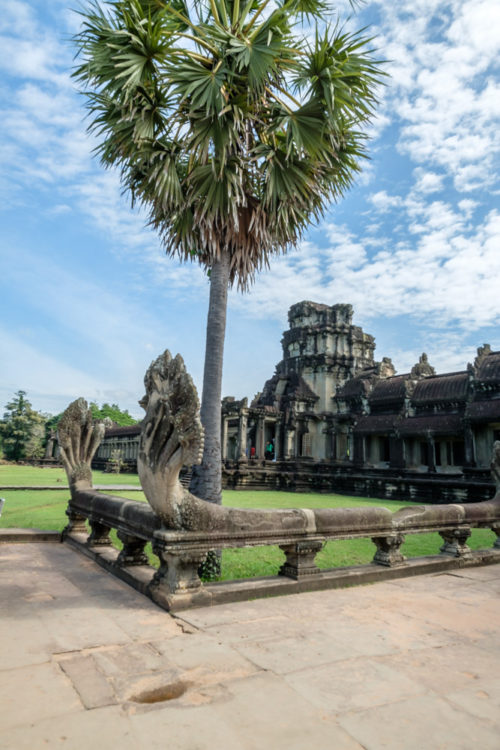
(183, 529)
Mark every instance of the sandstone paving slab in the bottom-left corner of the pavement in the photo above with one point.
(98, 729)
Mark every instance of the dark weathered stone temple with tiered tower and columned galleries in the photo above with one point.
(332, 418)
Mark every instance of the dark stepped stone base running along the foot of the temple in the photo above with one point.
(313, 476)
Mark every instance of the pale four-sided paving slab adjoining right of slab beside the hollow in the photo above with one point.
(354, 684)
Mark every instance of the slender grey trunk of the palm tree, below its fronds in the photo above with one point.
(206, 482)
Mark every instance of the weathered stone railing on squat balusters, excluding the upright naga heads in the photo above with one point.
(176, 585)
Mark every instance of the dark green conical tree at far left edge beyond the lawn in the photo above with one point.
(22, 429)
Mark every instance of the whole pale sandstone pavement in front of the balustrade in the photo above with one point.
(87, 662)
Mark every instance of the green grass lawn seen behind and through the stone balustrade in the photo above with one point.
(45, 509)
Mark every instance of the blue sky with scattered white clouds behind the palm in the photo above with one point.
(88, 298)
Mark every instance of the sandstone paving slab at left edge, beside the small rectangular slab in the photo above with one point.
(30, 694)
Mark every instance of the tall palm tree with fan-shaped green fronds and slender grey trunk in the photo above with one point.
(233, 129)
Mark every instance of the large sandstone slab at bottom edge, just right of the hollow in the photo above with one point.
(252, 714)
